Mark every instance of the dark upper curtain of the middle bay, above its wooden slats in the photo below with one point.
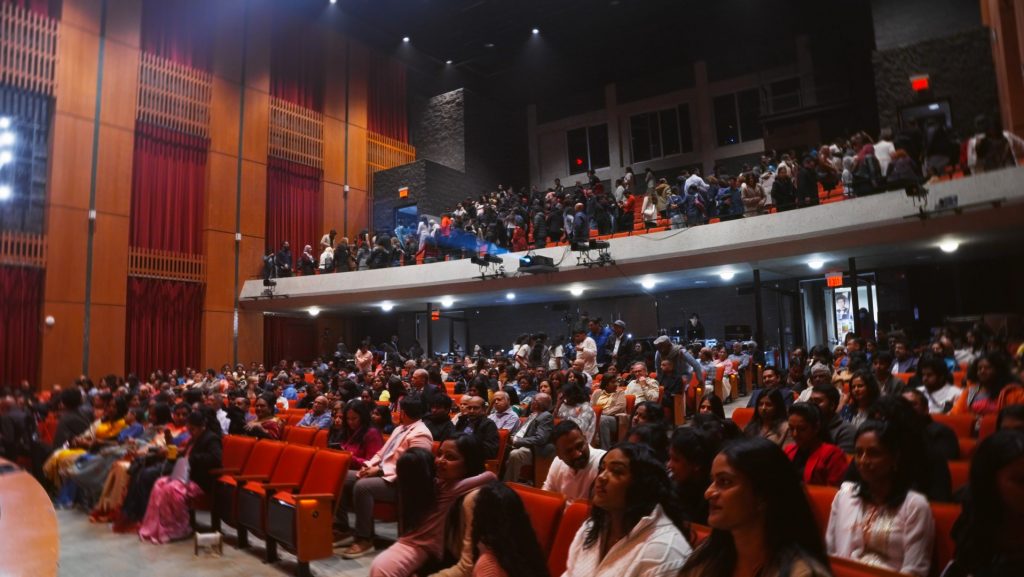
(297, 72)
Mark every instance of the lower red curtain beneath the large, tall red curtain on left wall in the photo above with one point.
(165, 321)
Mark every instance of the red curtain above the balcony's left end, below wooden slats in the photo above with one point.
(294, 205)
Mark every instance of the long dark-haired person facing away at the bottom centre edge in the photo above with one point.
(508, 549)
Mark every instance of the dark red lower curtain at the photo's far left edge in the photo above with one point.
(21, 294)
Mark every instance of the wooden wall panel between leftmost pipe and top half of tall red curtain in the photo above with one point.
(114, 171)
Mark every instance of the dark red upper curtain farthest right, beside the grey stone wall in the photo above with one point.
(387, 110)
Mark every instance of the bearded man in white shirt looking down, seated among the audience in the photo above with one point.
(574, 472)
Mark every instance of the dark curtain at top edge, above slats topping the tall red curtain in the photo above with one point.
(181, 31)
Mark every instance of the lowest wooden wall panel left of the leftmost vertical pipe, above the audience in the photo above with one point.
(62, 347)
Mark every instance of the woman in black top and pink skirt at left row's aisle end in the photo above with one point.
(167, 514)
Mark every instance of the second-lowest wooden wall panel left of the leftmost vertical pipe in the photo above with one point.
(66, 256)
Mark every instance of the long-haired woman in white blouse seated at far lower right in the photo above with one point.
(880, 521)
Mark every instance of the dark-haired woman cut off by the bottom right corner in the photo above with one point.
(988, 534)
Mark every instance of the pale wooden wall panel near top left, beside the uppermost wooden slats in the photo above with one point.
(76, 75)
